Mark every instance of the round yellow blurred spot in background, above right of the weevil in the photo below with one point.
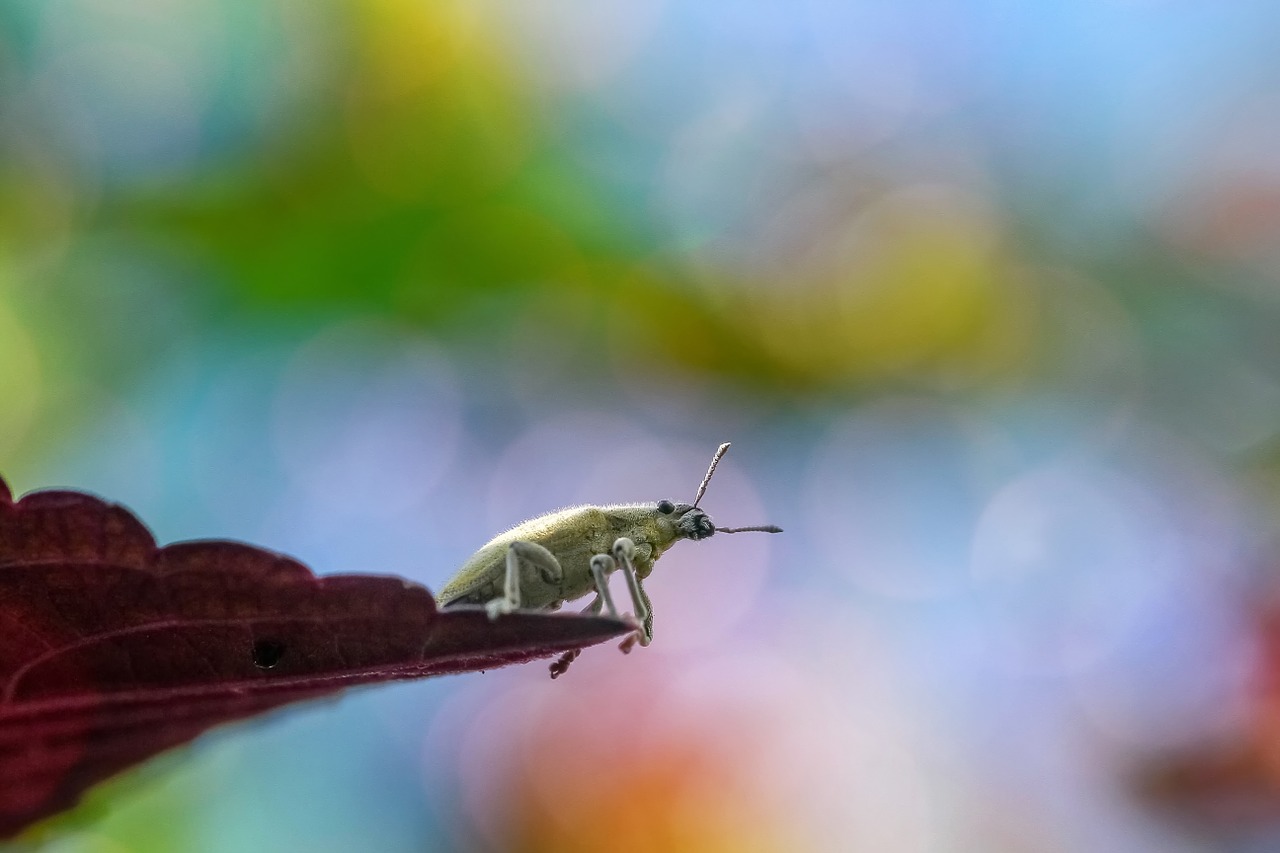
(915, 280)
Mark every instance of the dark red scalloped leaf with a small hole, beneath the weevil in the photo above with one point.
(113, 650)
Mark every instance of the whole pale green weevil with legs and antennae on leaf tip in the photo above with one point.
(565, 555)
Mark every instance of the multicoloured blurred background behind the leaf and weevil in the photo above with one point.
(986, 297)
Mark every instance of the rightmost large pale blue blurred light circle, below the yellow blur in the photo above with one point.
(1067, 559)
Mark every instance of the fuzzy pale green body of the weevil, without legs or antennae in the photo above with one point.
(574, 536)
